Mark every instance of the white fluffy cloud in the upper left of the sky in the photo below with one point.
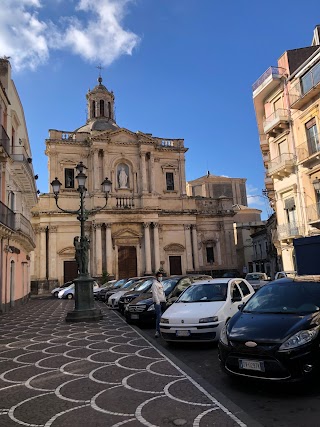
(93, 31)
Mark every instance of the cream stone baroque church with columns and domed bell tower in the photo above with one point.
(150, 221)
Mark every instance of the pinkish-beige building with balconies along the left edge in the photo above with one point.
(18, 194)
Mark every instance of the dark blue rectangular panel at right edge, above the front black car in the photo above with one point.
(307, 251)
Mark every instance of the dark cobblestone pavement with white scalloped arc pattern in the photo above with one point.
(54, 374)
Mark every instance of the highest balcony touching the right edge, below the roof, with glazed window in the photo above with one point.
(306, 88)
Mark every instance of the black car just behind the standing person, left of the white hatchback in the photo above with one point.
(141, 309)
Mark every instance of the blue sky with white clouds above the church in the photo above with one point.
(178, 68)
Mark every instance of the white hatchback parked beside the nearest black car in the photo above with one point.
(203, 309)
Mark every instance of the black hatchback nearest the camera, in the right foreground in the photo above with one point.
(275, 335)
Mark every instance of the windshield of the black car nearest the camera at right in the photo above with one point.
(290, 297)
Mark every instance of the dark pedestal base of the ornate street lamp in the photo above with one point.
(84, 307)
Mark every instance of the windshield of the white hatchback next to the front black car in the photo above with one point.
(205, 293)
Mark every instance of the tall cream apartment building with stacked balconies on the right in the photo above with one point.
(286, 102)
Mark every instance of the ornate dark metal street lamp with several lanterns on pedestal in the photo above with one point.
(84, 302)
